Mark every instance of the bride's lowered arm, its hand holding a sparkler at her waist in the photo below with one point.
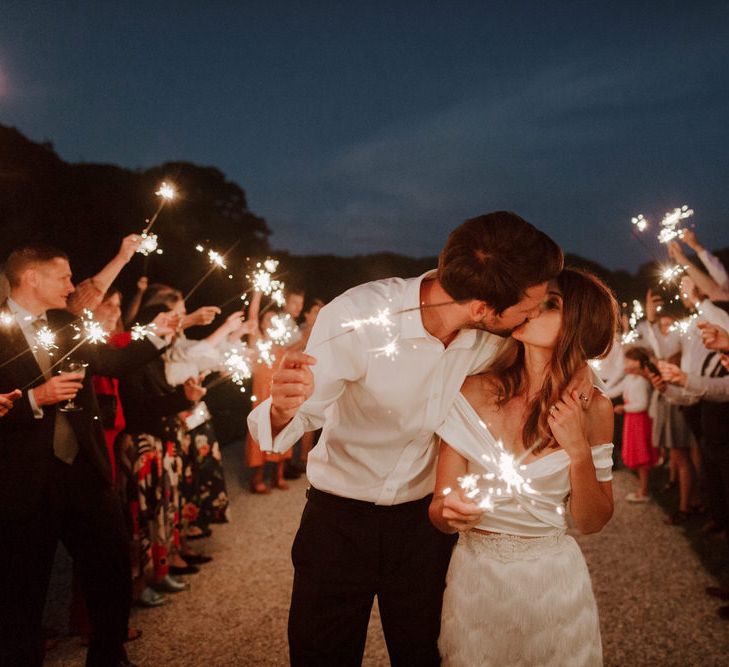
(449, 512)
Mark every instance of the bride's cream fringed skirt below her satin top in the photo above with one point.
(511, 601)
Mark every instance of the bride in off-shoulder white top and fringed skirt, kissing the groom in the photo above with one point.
(518, 591)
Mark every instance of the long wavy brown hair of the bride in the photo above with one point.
(589, 321)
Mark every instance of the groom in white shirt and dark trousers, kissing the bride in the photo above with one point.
(379, 391)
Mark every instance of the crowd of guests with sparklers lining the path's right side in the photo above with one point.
(670, 383)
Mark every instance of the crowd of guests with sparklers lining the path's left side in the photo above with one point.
(117, 458)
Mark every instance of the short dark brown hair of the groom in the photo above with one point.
(495, 258)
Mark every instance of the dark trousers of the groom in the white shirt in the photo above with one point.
(346, 552)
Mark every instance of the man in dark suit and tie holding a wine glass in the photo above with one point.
(55, 474)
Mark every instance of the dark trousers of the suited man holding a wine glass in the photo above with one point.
(85, 514)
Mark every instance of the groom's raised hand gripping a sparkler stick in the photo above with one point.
(291, 385)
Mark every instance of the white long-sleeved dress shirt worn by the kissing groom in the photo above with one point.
(379, 413)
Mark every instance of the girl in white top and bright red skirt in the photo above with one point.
(638, 450)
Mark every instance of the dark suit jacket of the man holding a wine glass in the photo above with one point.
(26, 443)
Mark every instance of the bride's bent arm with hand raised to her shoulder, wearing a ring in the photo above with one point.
(591, 501)
